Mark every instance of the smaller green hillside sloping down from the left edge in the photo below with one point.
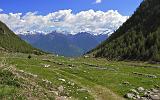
(12, 43)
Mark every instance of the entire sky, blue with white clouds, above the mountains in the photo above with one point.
(66, 16)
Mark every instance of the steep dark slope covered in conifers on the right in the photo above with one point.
(138, 38)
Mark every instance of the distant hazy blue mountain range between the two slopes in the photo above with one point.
(66, 45)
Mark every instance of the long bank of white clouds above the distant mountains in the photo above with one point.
(95, 22)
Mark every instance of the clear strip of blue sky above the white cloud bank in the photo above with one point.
(125, 7)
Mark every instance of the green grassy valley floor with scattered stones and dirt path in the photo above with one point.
(59, 78)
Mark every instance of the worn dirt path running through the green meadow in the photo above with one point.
(97, 91)
